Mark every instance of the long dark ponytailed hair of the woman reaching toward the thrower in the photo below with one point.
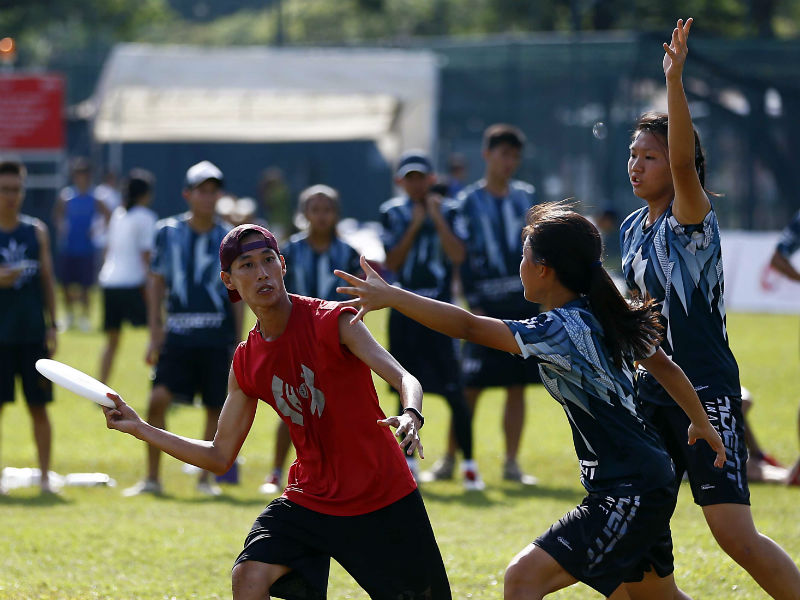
(569, 244)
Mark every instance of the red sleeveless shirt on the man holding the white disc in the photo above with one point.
(346, 463)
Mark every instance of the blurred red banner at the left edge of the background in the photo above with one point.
(31, 112)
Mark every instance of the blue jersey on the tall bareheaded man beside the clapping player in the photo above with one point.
(493, 226)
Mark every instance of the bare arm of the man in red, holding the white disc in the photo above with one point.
(217, 455)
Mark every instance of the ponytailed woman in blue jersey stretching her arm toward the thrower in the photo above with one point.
(584, 342)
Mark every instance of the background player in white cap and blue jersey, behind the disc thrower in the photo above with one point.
(192, 350)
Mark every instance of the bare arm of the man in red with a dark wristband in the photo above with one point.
(360, 342)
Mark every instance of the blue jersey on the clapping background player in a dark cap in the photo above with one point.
(426, 270)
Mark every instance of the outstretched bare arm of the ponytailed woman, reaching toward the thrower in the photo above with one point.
(373, 293)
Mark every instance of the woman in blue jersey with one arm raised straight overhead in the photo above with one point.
(671, 254)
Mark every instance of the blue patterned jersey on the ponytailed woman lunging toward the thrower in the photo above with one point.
(619, 454)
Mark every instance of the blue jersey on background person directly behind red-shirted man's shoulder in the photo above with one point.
(309, 273)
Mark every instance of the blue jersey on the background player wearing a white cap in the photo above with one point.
(198, 310)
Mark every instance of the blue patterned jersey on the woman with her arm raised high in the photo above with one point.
(680, 267)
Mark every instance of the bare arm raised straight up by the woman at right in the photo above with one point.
(691, 204)
